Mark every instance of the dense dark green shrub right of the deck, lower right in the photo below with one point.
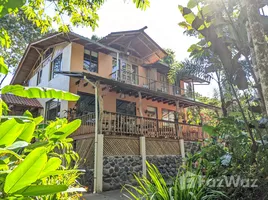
(230, 153)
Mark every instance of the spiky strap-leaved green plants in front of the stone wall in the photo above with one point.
(187, 185)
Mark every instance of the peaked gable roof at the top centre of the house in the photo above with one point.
(135, 43)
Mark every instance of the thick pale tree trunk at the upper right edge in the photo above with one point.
(259, 45)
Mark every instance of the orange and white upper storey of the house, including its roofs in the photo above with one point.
(129, 57)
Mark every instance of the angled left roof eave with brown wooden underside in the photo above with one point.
(36, 48)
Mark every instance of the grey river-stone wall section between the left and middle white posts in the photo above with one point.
(119, 170)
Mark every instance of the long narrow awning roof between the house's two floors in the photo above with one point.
(133, 90)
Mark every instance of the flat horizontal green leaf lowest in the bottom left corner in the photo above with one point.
(38, 190)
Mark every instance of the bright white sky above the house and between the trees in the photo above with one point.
(161, 18)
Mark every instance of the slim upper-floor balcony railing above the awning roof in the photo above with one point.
(151, 84)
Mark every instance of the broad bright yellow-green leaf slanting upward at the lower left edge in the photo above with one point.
(27, 172)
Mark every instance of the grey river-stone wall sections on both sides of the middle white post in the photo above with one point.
(119, 170)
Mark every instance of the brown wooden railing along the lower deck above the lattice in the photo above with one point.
(128, 125)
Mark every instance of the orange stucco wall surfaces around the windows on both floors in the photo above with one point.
(109, 98)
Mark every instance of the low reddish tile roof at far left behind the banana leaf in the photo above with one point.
(11, 99)
